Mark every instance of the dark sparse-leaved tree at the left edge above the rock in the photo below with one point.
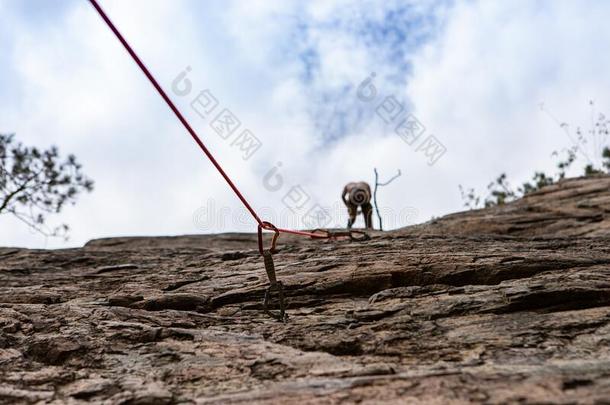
(34, 184)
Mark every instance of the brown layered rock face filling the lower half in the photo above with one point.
(503, 305)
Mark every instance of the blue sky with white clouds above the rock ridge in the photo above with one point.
(448, 93)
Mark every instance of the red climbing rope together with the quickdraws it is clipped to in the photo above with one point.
(274, 284)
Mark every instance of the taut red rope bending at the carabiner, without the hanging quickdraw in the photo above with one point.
(261, 224)
